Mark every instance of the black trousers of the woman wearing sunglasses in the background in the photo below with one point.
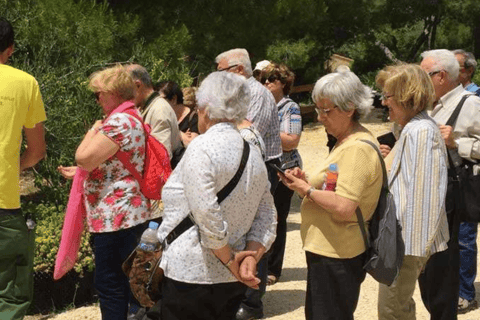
(283, 198)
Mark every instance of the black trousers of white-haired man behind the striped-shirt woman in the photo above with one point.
(439, 283)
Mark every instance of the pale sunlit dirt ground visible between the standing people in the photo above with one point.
(285, 300)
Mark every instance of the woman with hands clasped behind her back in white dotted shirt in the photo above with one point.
(209, 266)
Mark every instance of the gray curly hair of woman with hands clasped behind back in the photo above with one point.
(224, 95)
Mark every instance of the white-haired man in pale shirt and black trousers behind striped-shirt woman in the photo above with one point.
(439, 283)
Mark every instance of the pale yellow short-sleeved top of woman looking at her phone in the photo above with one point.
(359, 179)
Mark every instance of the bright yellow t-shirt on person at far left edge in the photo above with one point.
(20, 106)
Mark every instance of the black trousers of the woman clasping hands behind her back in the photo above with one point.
(183, 301)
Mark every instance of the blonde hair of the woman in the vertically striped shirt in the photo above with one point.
(409, 84)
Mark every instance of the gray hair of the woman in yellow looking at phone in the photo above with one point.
(346, 91)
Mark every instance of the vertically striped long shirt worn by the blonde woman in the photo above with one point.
(418, 182)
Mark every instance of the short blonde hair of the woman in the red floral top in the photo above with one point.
(115, 79)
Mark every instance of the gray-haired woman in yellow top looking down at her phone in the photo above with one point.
(330, 232)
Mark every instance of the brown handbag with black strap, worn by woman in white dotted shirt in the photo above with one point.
(142, 268)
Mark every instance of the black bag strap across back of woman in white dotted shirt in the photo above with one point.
(187, 223)
